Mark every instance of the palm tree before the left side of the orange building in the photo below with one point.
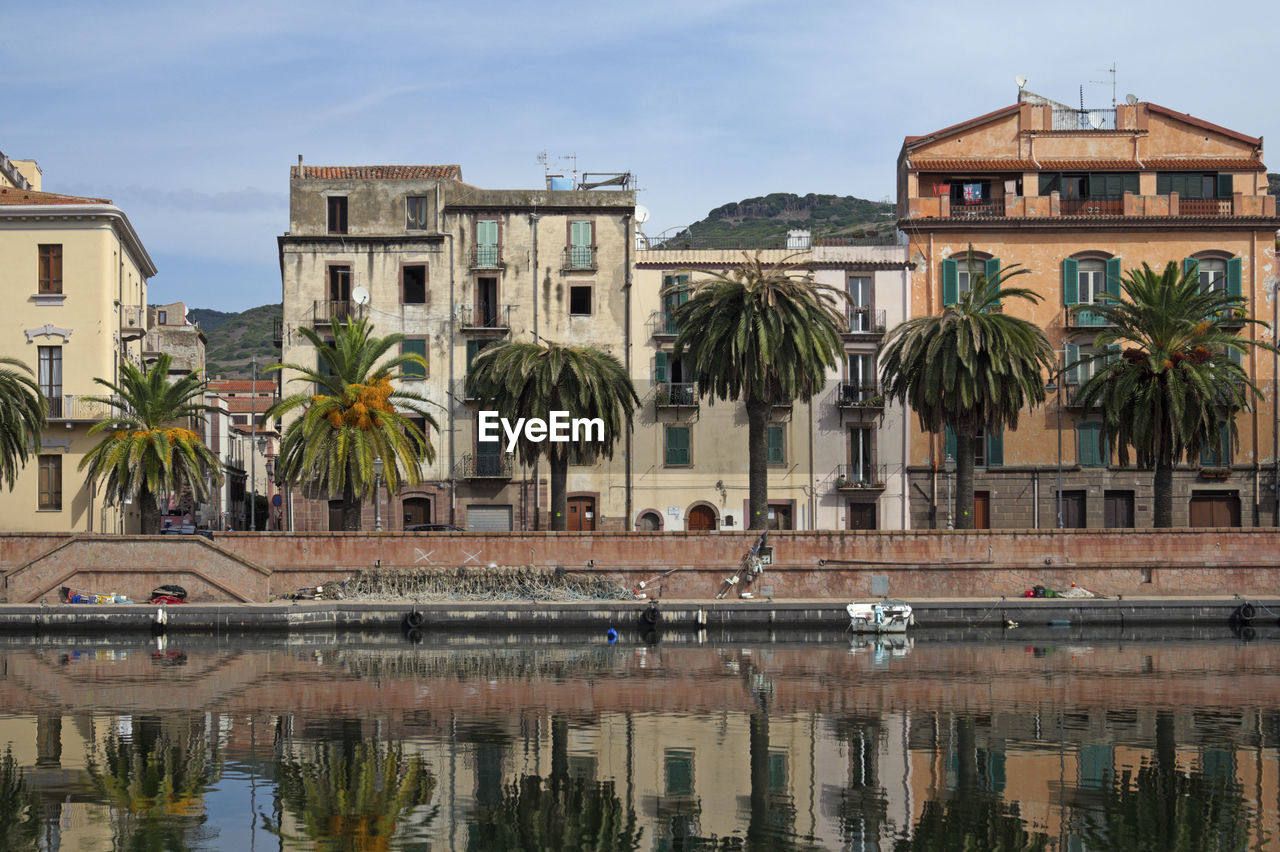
(971, 369)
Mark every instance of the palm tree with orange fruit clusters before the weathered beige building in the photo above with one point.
(351, 416)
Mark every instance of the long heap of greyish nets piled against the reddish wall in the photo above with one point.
(523, 583)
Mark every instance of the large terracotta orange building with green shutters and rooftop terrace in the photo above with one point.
(1077, 198)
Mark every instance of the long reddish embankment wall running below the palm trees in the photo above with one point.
(257, 567)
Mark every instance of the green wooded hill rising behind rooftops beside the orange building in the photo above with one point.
(766, 221)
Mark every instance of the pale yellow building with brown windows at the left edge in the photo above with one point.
(75, 276)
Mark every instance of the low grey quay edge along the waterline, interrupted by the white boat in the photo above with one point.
(632, 617)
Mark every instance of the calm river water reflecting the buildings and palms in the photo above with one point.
(1016, 740)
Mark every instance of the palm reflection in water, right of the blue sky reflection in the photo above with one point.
(354, 794)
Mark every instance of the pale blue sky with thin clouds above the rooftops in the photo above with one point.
(189, 117)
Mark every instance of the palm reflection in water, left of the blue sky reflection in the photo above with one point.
(154, 782)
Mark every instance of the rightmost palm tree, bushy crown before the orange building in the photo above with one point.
(1176, 379)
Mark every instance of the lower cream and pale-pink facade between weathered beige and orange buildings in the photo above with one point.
(835, 462)
